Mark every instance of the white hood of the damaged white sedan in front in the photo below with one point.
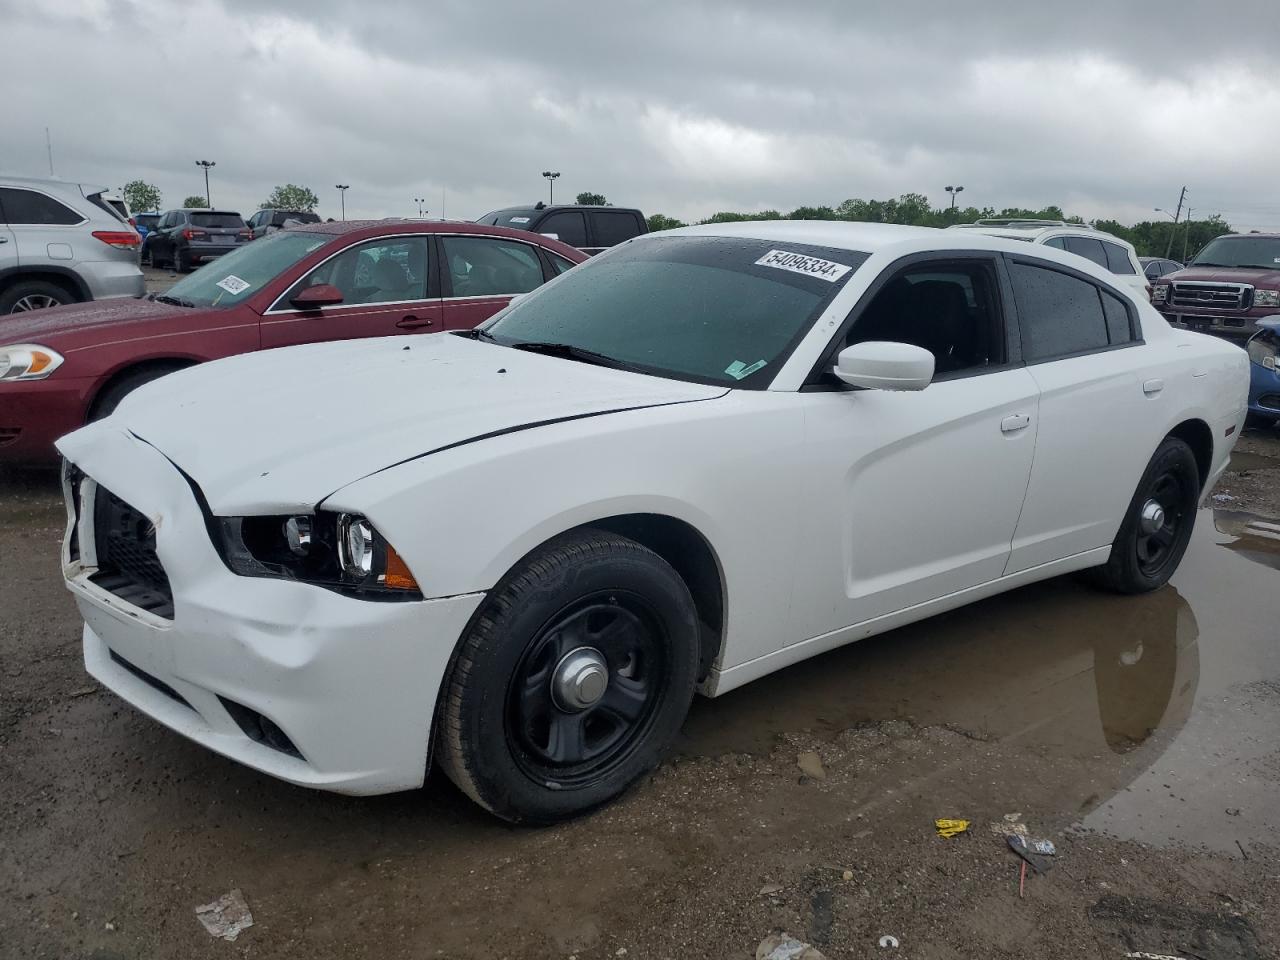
(284, 429)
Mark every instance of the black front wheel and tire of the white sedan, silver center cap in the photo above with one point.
(573, 680)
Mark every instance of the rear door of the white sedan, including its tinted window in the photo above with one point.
(1082, 345)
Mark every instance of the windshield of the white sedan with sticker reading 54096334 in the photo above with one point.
(706, 309)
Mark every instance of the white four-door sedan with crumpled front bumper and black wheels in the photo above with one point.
(696, 460)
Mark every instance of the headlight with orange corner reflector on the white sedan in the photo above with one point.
(336, 551)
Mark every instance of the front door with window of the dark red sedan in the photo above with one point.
(387, 290)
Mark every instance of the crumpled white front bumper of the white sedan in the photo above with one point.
(351, 683)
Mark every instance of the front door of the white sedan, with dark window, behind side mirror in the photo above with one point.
(916, 496)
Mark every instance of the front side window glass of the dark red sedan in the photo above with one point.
(387, 271)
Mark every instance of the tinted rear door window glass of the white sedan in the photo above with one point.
(1059, 316)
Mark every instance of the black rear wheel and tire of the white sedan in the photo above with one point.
(1158, 525)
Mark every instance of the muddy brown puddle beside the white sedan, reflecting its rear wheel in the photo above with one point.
(1164, 706)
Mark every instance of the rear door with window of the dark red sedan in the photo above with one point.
(481, 276)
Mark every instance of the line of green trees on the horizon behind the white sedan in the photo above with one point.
(1150, 237)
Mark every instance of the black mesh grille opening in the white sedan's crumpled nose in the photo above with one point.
(127, 563)
